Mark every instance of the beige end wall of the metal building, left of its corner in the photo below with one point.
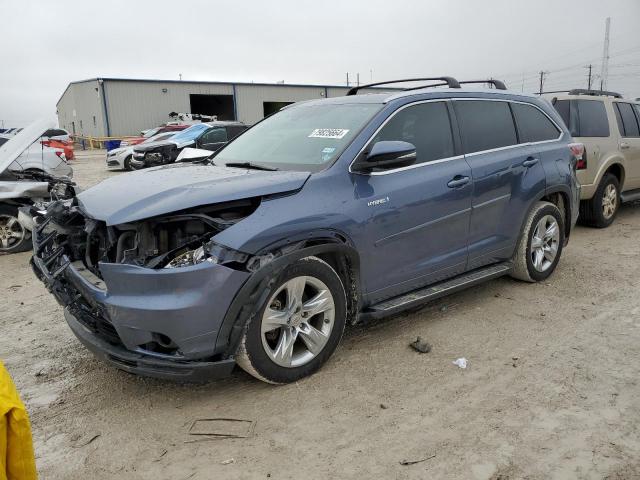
(80, 109)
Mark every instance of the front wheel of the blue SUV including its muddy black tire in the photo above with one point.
(294, 333)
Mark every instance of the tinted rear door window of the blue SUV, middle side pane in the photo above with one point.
(485, 125)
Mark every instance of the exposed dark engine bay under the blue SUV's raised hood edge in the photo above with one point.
(170, 241)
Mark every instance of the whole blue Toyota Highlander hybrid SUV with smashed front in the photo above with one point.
(328, 212)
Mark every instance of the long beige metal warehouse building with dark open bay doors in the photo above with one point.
(112, 107)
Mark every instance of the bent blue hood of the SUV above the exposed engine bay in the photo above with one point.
(157, 191)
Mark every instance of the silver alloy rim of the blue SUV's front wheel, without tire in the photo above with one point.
(298, 320)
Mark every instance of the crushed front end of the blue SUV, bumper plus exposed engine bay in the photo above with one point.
(149, 297)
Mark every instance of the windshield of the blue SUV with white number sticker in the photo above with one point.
(305, 137)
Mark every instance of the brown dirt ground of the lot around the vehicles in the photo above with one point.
(551, 389)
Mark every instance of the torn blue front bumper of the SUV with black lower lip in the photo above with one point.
(160, 323)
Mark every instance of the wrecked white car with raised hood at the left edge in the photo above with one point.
(30, 174)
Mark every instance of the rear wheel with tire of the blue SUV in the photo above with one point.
(540, 244)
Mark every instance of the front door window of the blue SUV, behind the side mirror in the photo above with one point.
(426, 126)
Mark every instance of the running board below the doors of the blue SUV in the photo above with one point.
(427, 294)
